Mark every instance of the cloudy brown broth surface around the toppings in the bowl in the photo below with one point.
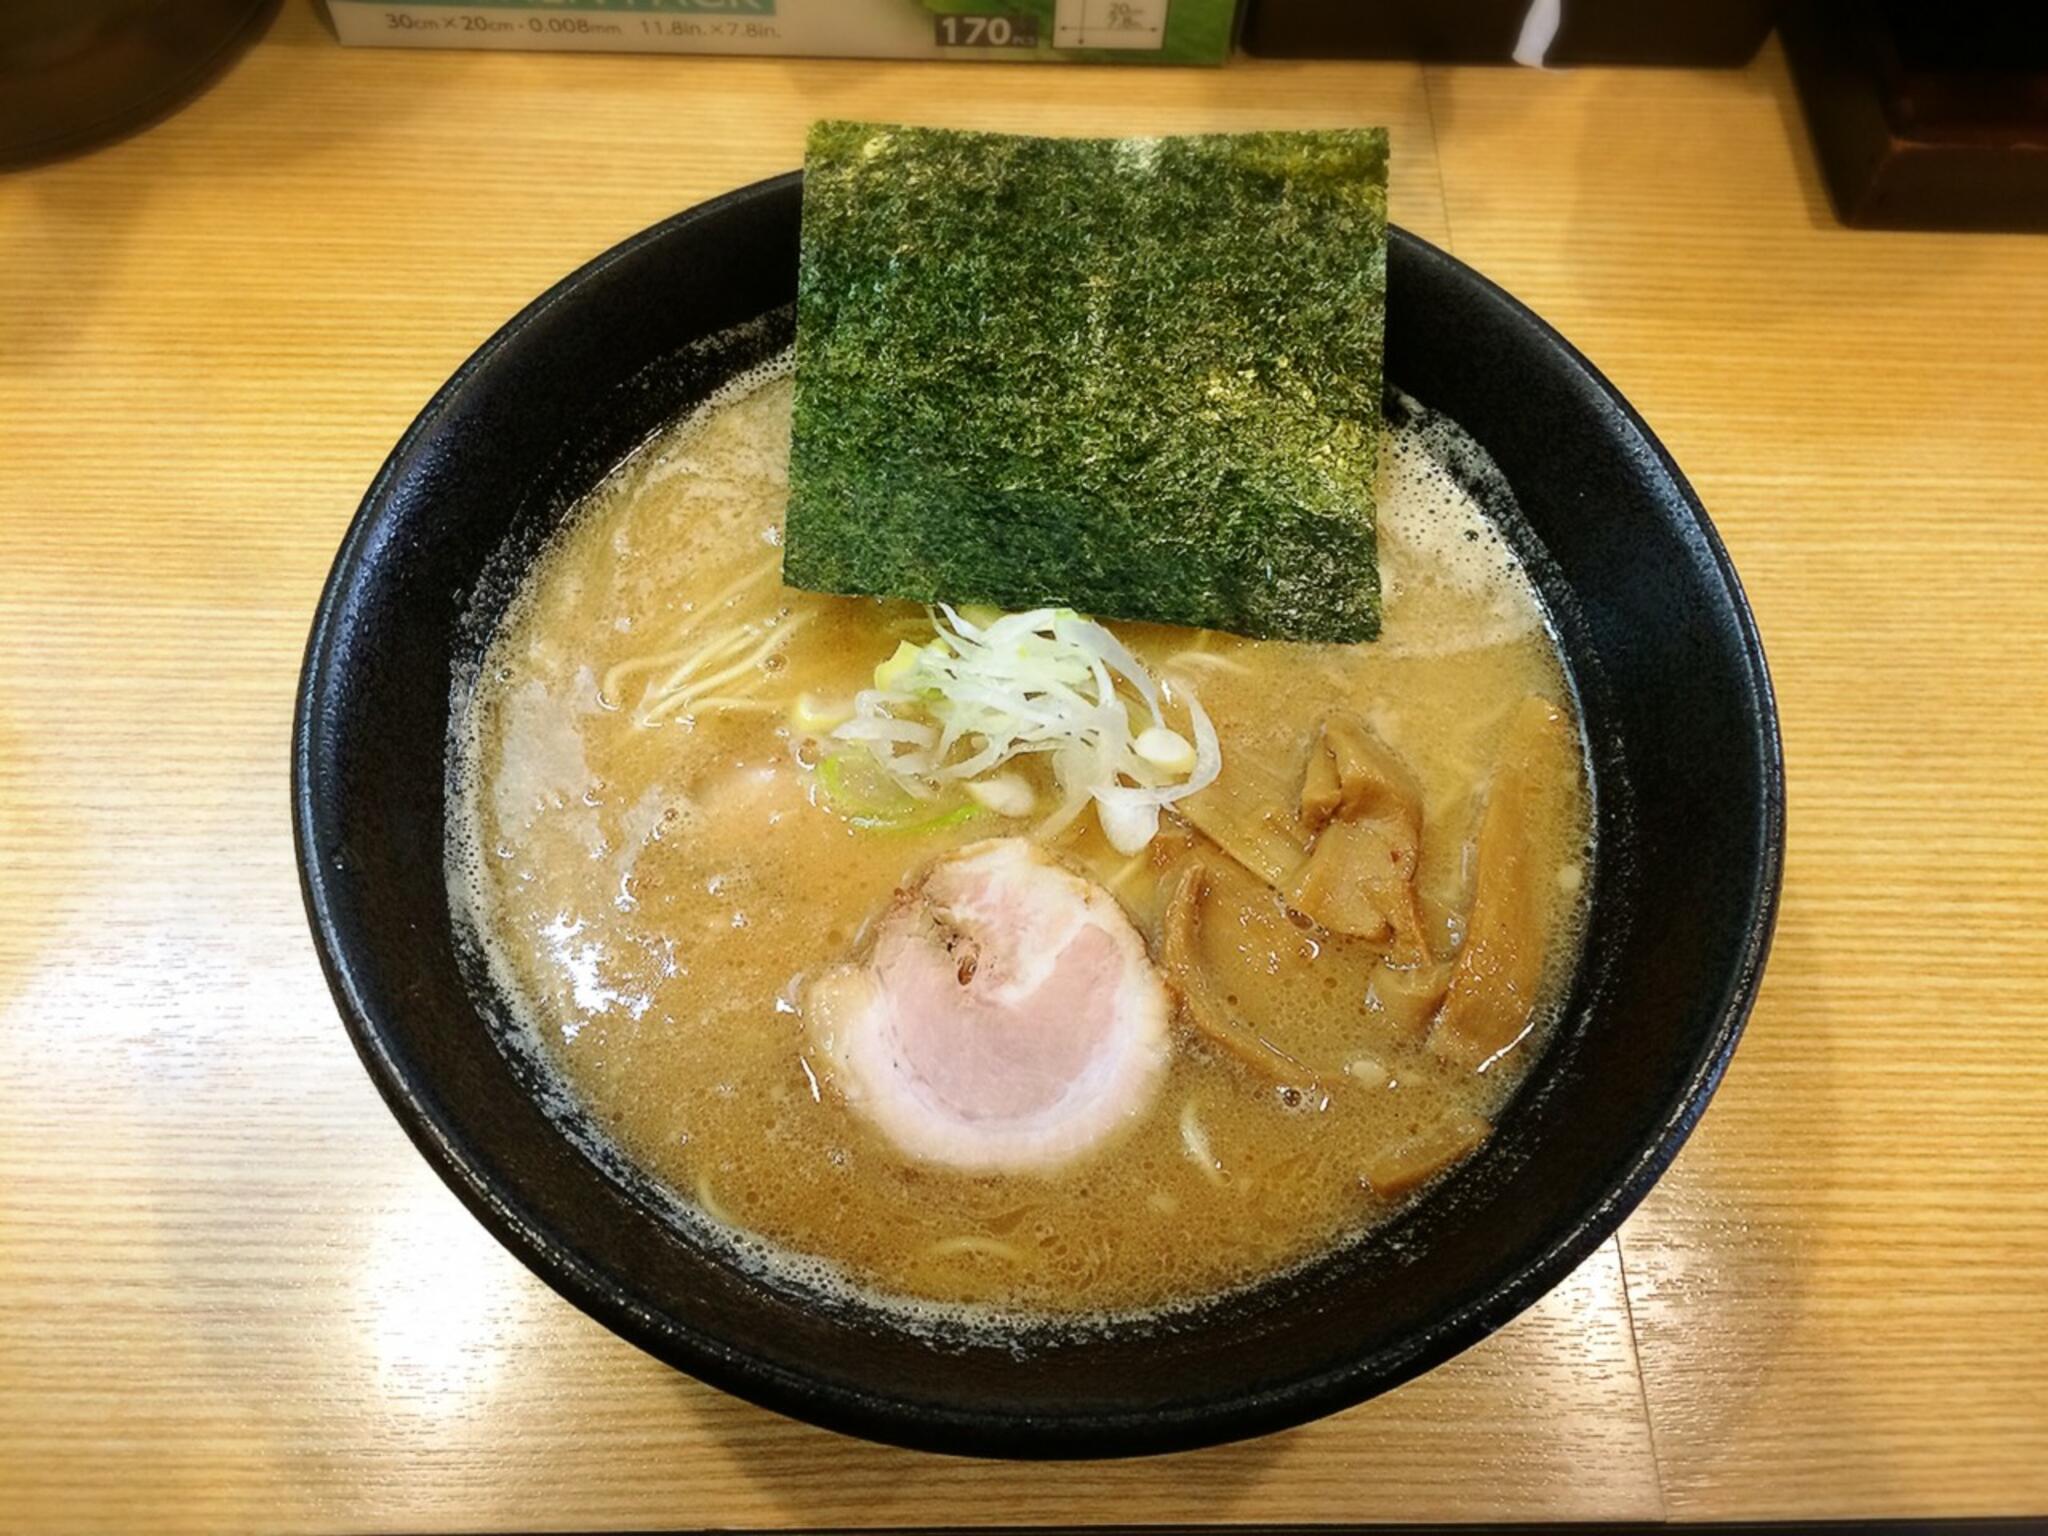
(656, 896)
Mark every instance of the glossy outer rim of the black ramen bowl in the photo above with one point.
(927, 1424)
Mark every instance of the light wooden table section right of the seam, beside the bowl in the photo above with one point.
(1834, 1289)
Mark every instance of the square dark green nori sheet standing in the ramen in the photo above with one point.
(1132, 376)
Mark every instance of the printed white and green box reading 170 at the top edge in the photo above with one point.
(1123, 32)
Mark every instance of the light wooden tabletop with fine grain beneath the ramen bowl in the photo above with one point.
(232, 1295)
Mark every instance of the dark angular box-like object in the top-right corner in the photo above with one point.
(1926, 118)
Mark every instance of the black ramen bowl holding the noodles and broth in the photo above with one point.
(1691, 830)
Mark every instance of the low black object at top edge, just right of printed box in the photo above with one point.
(1486, 32)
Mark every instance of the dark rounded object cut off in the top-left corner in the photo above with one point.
(79, 73)
